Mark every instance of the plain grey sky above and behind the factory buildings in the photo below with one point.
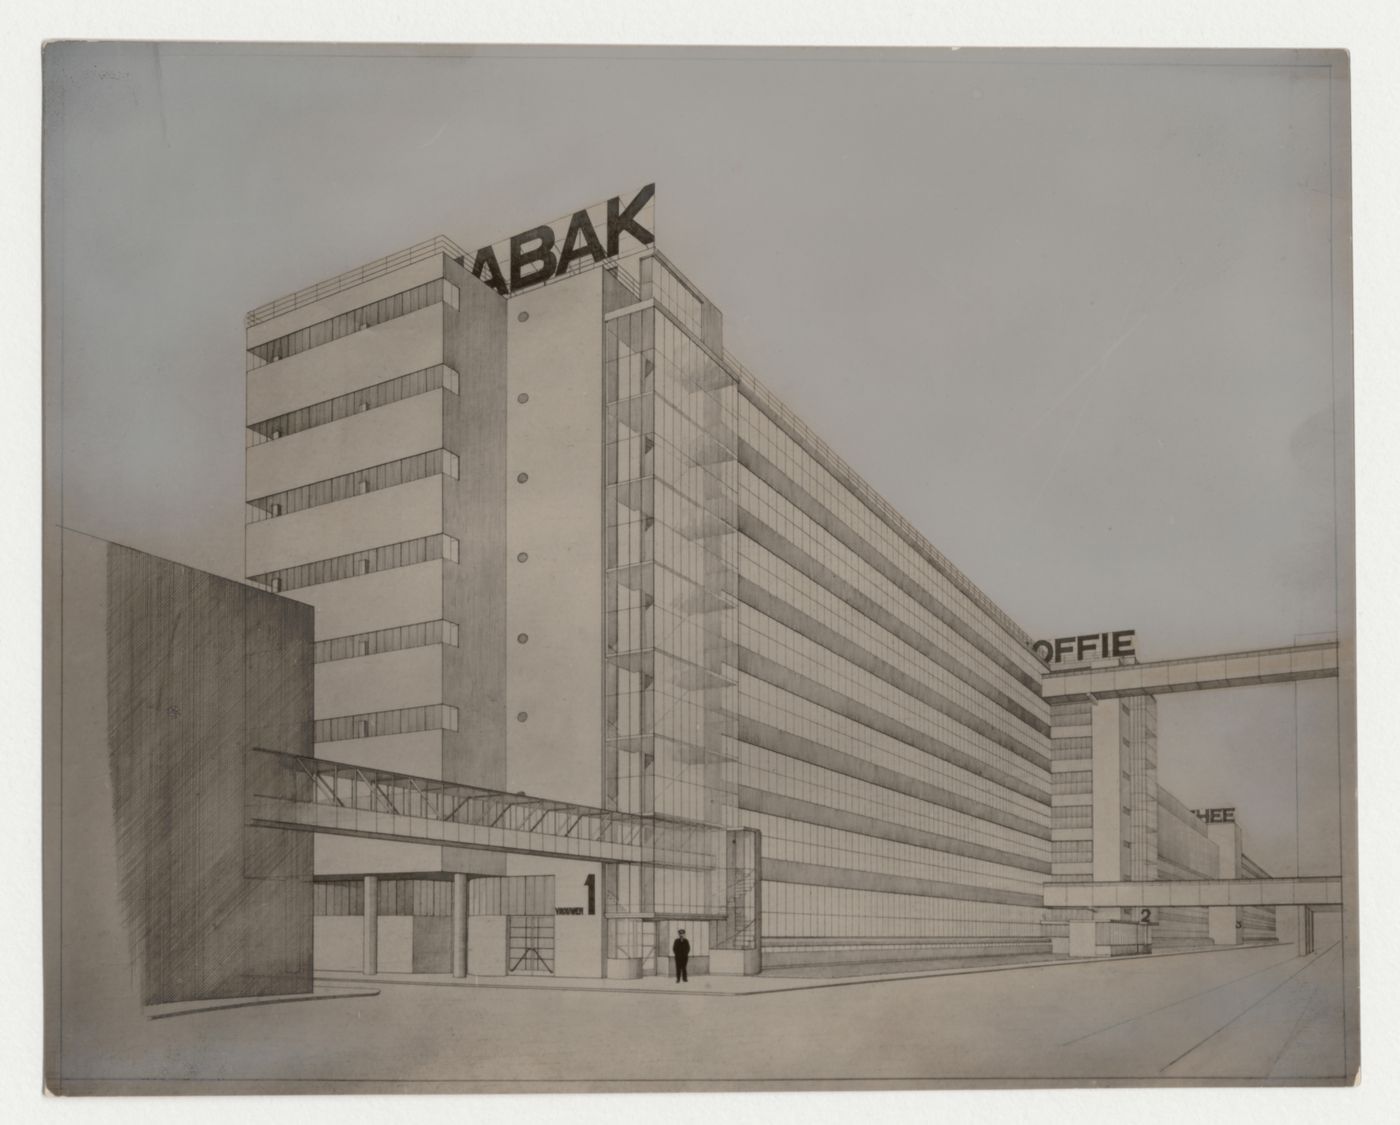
(1072, 316)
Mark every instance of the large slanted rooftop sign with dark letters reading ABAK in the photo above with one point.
(584, 240)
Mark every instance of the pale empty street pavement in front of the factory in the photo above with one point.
(1258, 1012)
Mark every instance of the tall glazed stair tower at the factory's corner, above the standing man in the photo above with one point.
(670, 594)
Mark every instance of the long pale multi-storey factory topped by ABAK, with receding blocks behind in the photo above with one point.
(561, 544)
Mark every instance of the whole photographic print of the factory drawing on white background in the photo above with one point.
(639, 569)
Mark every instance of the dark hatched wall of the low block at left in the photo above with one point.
(199, 670)
